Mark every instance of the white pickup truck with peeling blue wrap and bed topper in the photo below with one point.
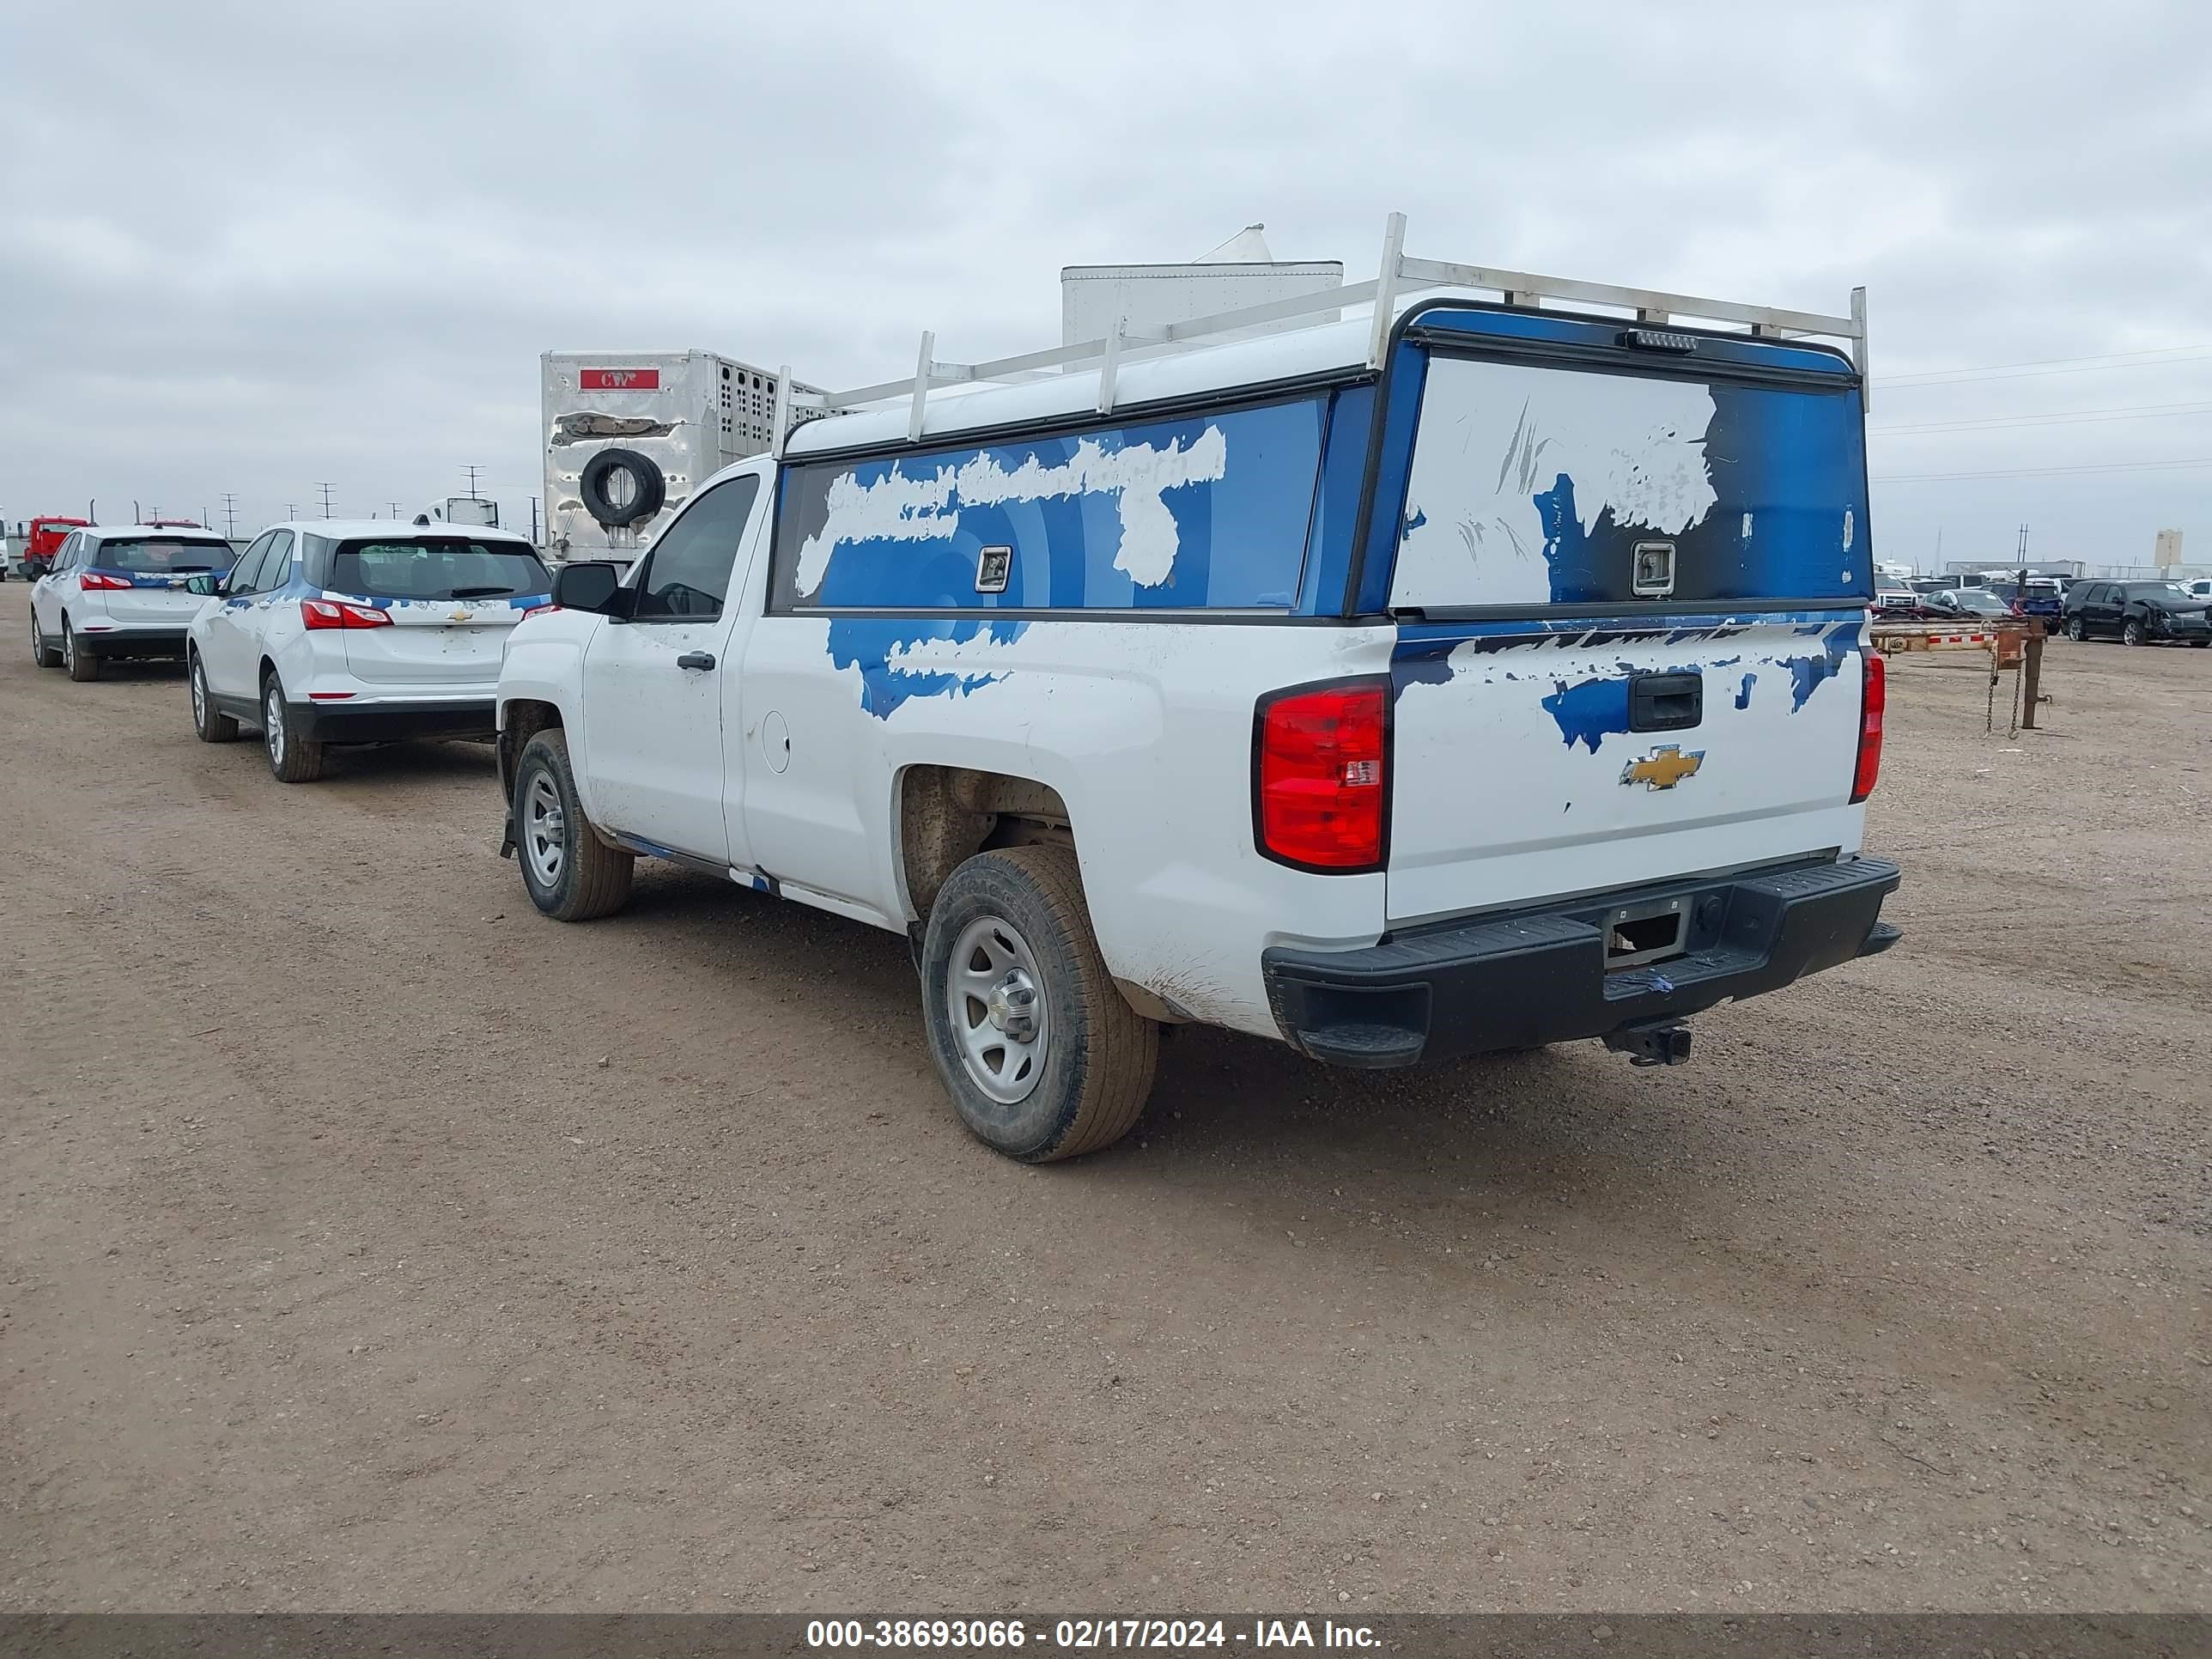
(1472, 678)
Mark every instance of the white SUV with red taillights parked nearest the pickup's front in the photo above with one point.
(359, 634)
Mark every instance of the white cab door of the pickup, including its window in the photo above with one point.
(656, 685)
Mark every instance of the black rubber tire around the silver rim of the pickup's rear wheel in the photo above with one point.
(1098, 1052)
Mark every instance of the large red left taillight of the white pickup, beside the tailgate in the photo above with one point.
(1319, 786)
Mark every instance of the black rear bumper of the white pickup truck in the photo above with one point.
(1541, 977)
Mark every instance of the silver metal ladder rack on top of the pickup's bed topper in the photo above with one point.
(1397, 275)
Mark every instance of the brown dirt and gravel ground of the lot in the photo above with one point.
(375, 1244)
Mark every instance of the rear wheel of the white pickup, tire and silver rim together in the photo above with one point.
(1032, 1039)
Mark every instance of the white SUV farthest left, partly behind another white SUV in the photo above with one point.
(121, 592)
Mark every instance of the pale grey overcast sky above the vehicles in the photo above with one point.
(262, 247)
